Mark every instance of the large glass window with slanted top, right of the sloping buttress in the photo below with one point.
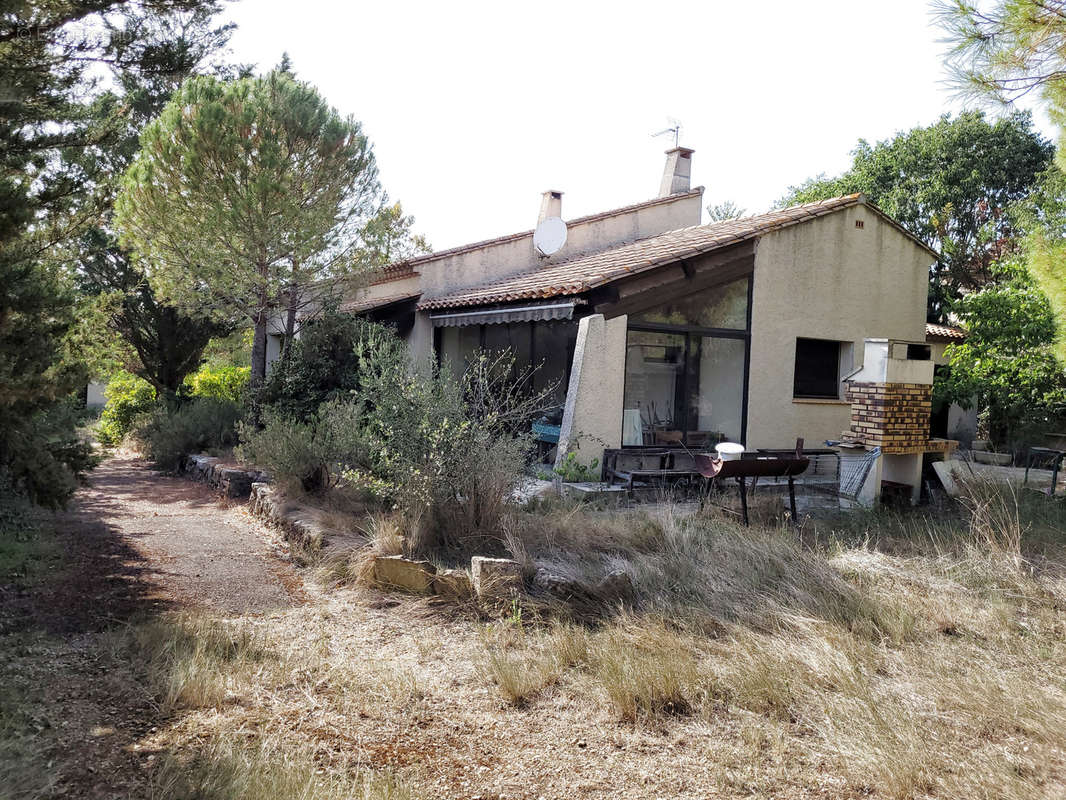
(686, 371)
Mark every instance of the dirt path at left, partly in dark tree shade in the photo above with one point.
(133, 545)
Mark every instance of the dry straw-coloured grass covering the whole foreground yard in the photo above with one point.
(906, 658)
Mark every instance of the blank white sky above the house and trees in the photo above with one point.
(476, 108)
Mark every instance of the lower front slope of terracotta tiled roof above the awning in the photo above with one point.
(585, 274)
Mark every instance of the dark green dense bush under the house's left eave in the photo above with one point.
(321, 366)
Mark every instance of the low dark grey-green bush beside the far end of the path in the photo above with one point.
(202, 424)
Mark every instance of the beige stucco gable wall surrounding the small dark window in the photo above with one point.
(827, 280)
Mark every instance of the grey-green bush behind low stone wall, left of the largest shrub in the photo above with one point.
(303, 455)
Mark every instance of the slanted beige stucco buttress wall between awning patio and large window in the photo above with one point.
(592, 419)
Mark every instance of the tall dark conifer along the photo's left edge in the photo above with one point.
(51, 55)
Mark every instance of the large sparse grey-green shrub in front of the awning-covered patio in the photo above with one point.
(448, 452)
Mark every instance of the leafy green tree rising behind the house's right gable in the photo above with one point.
(951, 185)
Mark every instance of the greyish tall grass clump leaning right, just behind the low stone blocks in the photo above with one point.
(703, 570)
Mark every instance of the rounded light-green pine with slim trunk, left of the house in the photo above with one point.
(250, 197)
